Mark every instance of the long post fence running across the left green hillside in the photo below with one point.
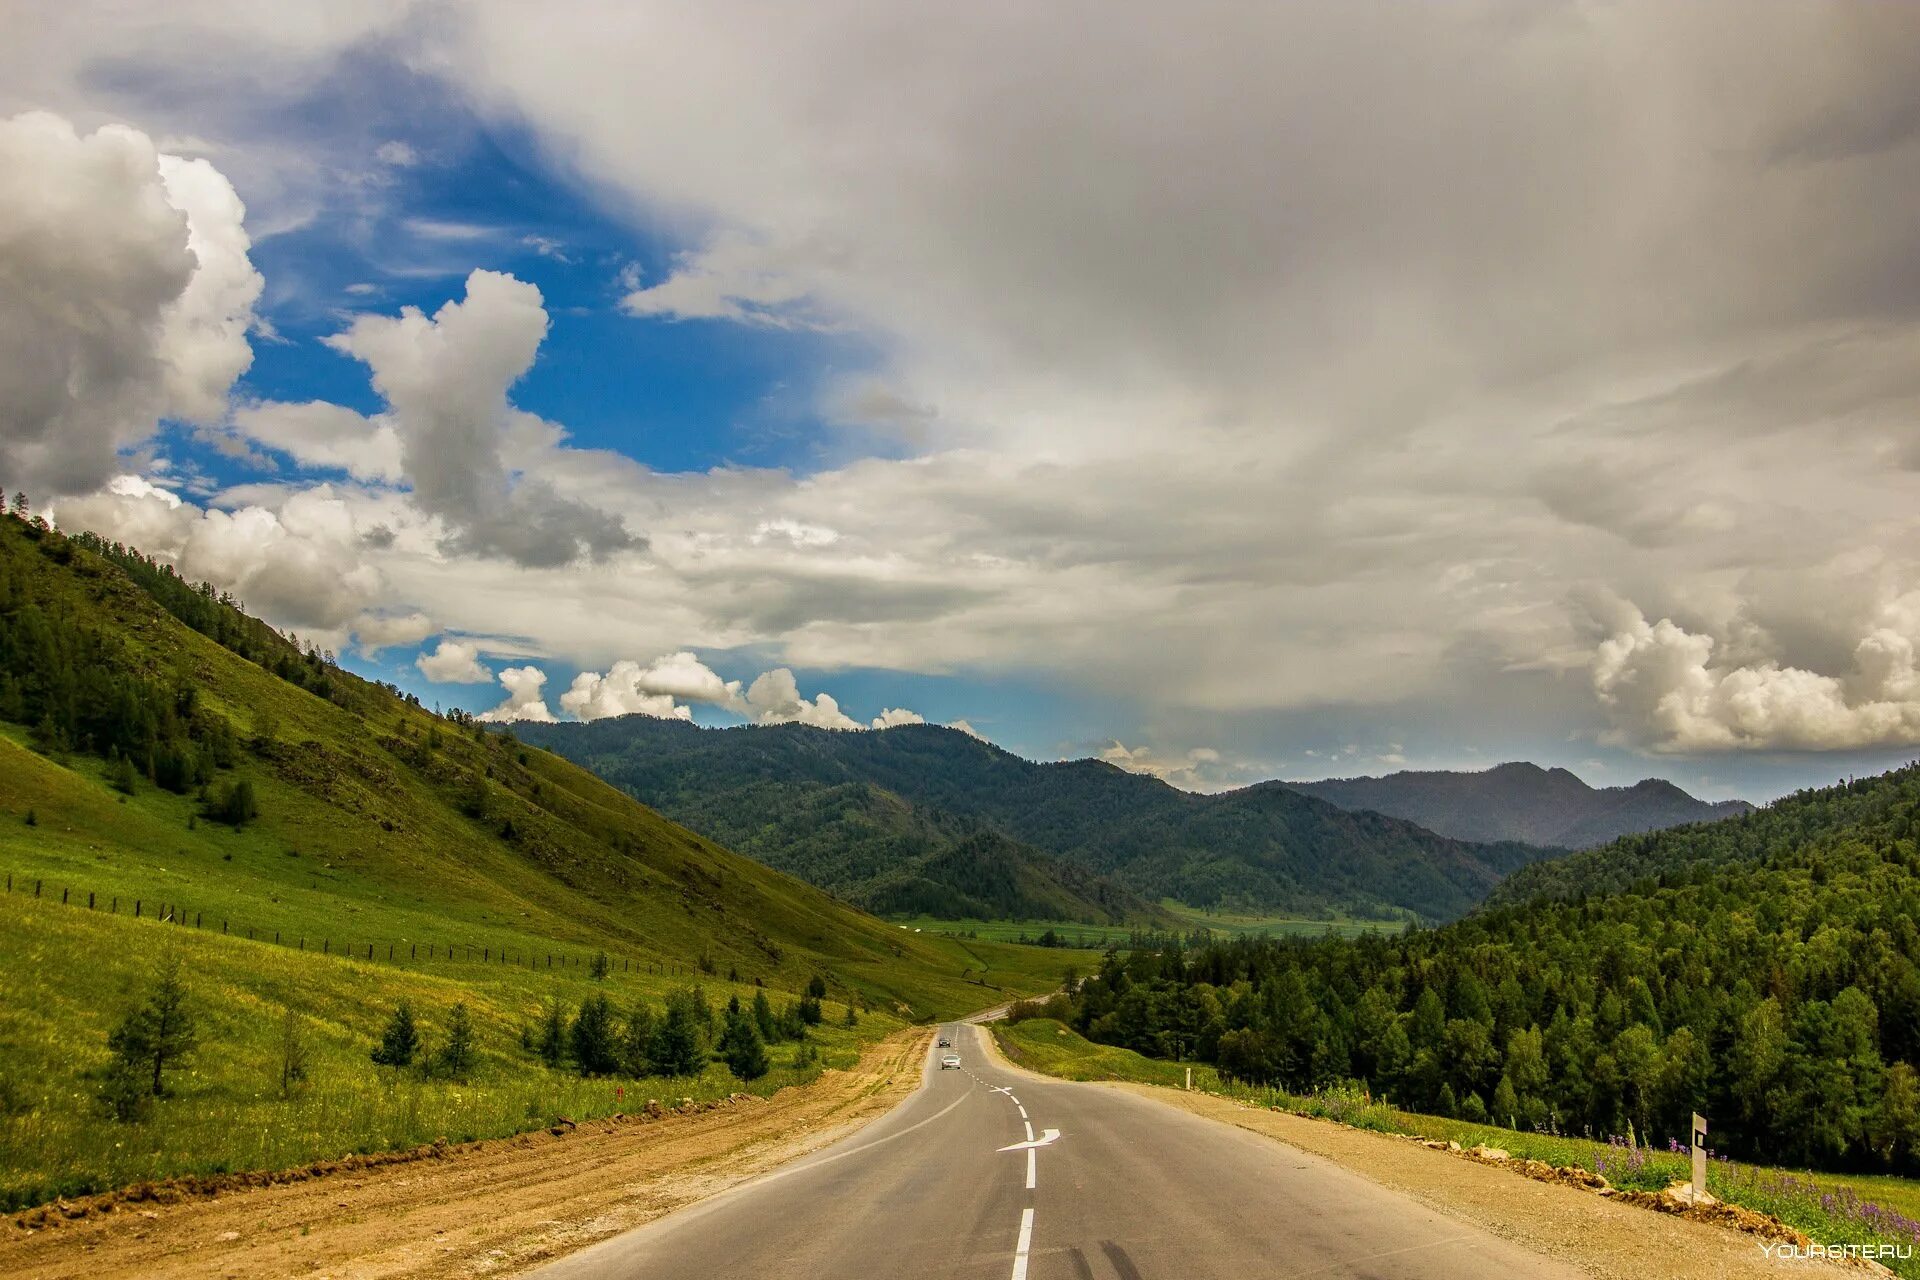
(406, 951)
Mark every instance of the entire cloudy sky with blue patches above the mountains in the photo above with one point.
(1230, 392)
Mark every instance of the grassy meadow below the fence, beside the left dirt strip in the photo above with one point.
(70, 974)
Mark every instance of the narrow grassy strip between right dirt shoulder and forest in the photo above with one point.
(1823, 1206)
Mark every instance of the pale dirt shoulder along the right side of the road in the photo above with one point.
(1604, 1239)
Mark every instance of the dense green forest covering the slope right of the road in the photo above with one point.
(1762, 972)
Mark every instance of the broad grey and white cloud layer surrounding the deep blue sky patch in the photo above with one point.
(1452, 367)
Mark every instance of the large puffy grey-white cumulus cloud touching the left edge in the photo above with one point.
(126, 298)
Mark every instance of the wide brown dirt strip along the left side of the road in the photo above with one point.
(492, 1210)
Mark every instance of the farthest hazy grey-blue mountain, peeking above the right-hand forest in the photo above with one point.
(1522, 803)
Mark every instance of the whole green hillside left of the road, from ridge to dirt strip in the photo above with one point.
(281, 813)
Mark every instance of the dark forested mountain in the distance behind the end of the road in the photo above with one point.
(771, 790)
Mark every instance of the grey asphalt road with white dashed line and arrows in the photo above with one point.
(1118, 1187)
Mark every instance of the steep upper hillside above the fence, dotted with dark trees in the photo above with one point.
(208, 723)
